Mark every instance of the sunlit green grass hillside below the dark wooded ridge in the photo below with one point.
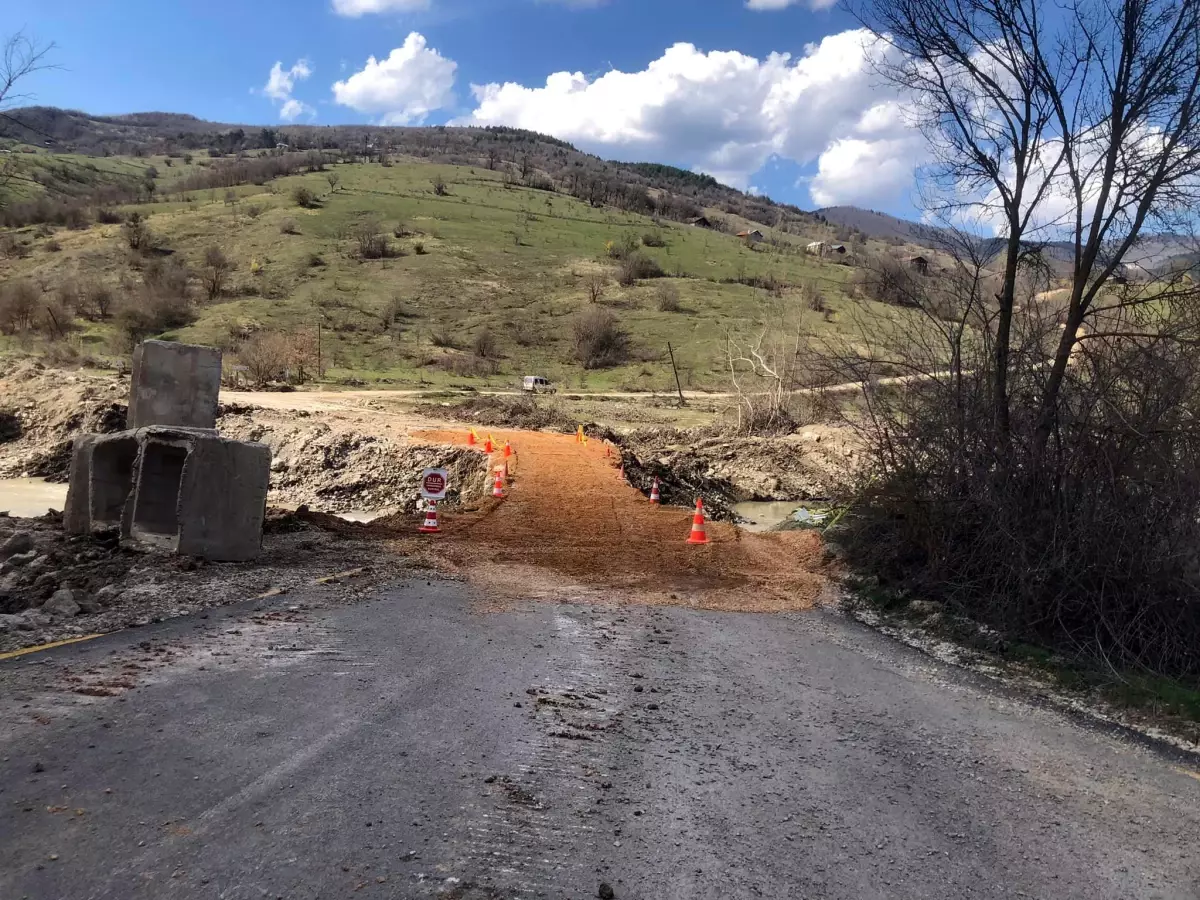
(490, 256)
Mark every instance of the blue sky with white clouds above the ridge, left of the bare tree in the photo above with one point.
(778, 100)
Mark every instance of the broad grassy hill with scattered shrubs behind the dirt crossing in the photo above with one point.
(394, 269)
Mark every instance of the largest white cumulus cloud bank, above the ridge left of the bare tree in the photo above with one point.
(727, 113)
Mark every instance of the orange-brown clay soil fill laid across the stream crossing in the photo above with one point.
(572, 529)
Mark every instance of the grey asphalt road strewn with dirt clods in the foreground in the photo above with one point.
(415, 747)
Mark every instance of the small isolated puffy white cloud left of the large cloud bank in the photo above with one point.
(403, 89)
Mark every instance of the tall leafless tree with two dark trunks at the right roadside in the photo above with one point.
(1076, 123)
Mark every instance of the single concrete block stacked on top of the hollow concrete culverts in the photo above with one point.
(175, 385)
